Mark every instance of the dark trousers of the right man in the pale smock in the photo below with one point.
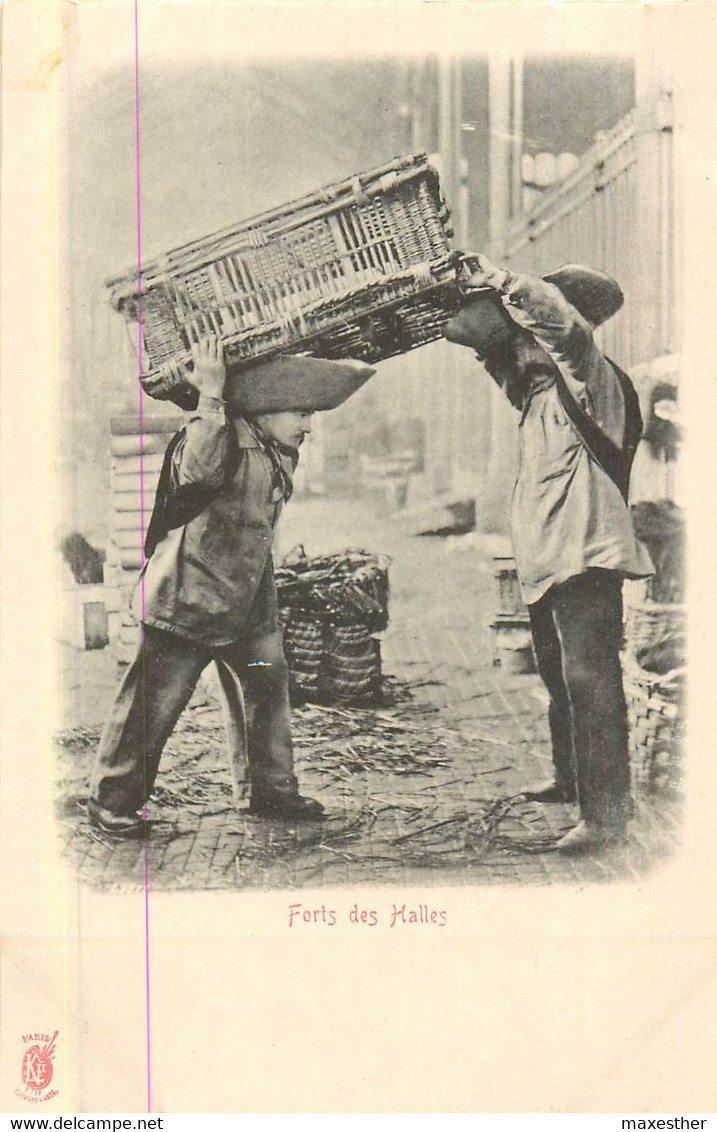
(577, 633)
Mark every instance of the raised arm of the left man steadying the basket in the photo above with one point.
(201, 457)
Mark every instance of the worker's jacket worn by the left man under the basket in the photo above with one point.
(209, 544)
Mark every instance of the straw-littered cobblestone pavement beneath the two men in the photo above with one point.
(423, 790)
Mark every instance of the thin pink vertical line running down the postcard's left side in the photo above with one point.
(142, 525)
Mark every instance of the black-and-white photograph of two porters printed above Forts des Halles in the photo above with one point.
(439, 327)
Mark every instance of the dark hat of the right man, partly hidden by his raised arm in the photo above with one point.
(484, 324)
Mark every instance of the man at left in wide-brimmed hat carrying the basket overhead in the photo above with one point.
(208, 593)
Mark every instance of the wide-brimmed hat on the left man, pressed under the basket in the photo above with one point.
(295, 384)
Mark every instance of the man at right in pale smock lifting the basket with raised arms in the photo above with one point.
(571, 529)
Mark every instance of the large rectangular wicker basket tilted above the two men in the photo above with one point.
(361, 269)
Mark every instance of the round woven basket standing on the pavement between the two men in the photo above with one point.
(332, 607)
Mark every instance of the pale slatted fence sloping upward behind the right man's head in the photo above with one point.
(617, 212)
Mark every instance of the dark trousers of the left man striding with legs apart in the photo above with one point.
(156, 690)
